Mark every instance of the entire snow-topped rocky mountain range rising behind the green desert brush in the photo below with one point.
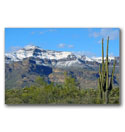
(23, 66)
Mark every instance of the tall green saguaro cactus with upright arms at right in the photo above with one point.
(103, 81)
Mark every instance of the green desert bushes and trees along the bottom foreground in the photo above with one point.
(67, 93)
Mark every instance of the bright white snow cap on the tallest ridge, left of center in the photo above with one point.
(36, 52)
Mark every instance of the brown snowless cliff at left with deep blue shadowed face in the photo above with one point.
(24, 73)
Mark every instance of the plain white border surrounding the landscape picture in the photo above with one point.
(57, 13)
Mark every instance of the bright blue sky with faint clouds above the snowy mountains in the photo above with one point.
(78, 40)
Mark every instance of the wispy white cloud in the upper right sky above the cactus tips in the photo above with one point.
(105, 32)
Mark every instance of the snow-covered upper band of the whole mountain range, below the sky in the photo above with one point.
(50, 57)
